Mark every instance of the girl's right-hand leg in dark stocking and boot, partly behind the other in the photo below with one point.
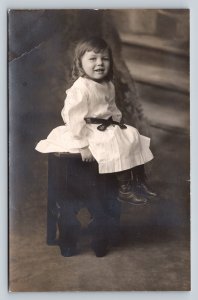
(139, 182)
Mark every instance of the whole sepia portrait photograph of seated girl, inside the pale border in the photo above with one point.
(99, 150)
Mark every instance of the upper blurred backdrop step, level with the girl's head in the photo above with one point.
(156, 61)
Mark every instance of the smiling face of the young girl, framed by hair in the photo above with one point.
(96, 65)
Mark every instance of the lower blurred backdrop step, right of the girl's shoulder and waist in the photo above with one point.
(165, 109)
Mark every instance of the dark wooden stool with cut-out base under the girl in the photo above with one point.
(73, 184)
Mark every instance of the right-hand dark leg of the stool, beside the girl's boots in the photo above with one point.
(105, 210)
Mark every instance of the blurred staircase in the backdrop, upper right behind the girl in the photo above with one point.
(156, 52)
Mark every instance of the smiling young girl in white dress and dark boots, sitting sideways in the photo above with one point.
(92, 124)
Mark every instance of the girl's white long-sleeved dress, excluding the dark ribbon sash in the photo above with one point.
(114, 149)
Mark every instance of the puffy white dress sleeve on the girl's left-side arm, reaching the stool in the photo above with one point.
(73, 113)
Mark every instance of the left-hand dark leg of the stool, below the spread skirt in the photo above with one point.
(61, 207)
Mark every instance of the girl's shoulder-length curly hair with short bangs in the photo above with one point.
(95, 44)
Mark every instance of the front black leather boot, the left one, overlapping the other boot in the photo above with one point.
(126, 194)
